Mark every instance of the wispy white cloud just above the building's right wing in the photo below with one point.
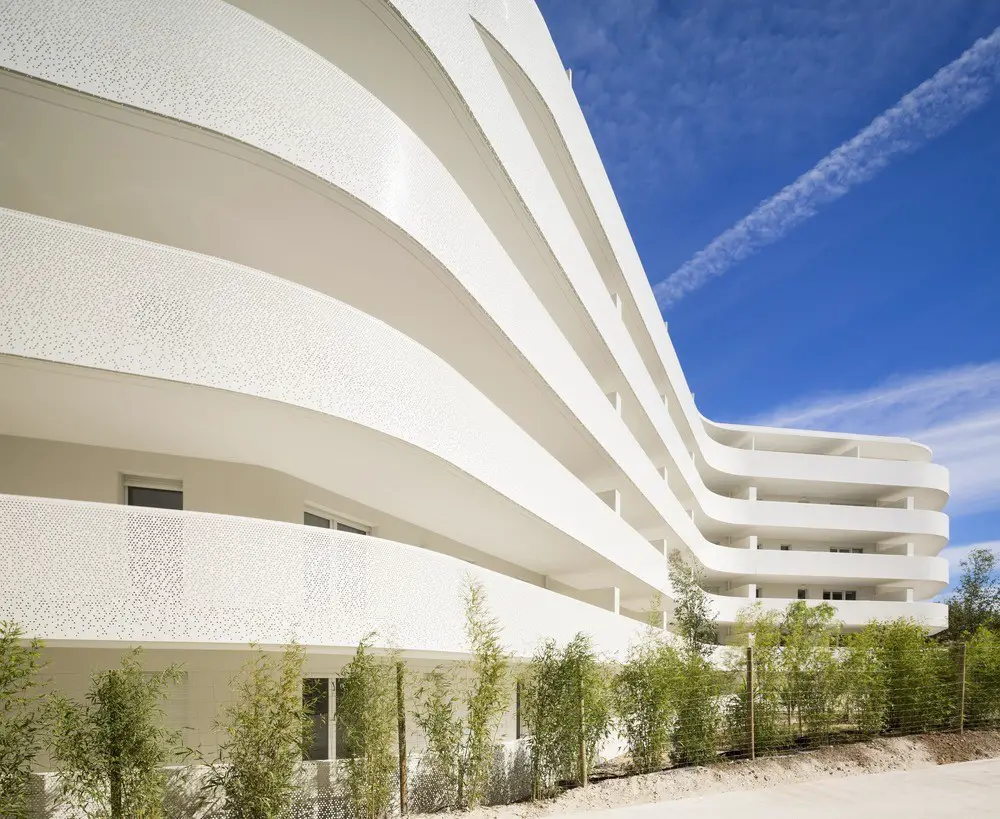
(954, 411)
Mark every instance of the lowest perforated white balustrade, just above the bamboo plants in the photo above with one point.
(89, 571)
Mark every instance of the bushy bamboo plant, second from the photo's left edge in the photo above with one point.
(110, 751)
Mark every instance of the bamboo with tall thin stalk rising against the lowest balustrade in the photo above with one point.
(460, 714)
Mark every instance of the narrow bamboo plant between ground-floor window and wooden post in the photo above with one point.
(367, 713)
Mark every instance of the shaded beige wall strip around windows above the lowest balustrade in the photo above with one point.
(54, 469)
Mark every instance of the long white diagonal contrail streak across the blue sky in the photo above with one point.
(935, 106)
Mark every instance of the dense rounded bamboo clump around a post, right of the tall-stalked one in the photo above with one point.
(565, 702)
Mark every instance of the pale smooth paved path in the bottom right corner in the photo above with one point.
(967, 790)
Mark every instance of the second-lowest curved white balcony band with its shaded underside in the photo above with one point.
(350, 404)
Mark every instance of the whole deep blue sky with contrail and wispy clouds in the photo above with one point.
(814, 189)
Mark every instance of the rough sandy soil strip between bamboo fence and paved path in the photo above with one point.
(878, 756)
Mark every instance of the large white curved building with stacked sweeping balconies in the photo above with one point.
(310, 309)
